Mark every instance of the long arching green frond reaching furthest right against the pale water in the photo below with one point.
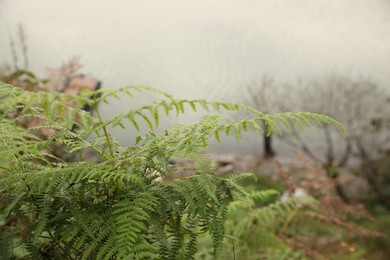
(274, 122)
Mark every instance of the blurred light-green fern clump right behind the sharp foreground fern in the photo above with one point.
(254, 229)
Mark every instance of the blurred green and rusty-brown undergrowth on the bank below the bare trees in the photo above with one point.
(299, 227)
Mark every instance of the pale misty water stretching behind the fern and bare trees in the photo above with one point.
(203, 49)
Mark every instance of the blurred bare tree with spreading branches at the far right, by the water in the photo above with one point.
(357, 103)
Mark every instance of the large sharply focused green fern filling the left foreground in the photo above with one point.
(117, 207)
